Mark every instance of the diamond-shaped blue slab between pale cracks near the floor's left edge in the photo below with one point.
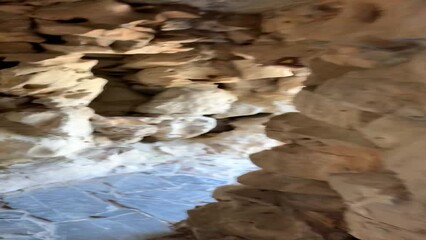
(58, 204)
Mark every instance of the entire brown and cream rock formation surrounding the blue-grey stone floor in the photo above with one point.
(81, 79)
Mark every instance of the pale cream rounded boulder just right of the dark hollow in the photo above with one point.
(189, 101)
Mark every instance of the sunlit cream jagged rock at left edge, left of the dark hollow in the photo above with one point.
(65, 85)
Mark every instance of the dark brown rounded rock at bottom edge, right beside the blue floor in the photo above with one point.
(250, 221)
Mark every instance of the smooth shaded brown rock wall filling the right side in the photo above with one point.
(353, 163)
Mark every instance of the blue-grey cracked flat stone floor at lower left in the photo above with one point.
(132, 206)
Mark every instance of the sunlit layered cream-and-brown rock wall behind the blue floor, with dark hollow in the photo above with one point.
(84, 82)
